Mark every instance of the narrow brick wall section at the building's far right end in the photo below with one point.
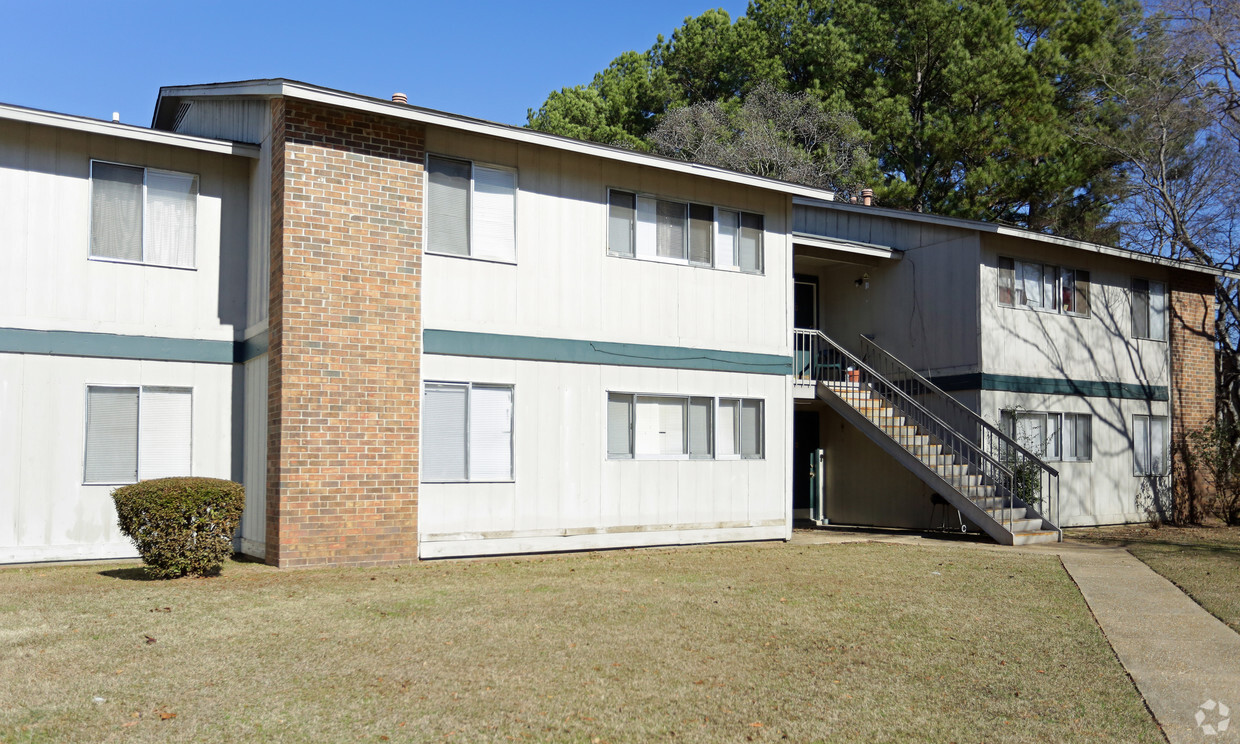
(1192, 374)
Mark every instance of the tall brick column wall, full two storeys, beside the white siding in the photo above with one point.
(345, 338)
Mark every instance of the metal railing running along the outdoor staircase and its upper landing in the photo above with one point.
(978, 459)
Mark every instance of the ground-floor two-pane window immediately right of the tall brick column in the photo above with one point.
(467, 432)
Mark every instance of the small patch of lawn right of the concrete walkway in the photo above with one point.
(1202, 561)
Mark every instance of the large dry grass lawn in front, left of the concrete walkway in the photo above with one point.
(851, 643)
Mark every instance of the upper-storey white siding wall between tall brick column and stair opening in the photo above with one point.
(566, 286)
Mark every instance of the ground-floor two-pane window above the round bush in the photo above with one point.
(137, 433)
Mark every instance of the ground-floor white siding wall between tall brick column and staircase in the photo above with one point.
(569, 495)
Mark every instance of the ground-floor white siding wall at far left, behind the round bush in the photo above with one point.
(46, 514)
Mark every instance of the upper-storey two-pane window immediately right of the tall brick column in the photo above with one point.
(472, 210)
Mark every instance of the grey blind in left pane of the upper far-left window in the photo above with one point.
(117, 211)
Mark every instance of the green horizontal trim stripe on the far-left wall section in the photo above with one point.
(86, 344)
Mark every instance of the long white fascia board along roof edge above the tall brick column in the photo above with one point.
(402, 111)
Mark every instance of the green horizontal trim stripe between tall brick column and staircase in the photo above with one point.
(601, 353)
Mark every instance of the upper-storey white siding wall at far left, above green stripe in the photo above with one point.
(48, 281)
